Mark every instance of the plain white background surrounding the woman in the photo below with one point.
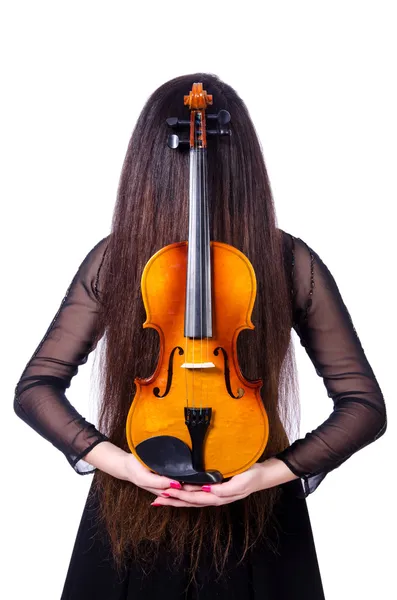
(319, 79)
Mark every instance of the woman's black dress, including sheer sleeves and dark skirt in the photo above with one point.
(289, 570)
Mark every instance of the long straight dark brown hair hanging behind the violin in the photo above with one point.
(151, 211)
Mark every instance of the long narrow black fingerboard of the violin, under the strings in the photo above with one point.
(198, 310)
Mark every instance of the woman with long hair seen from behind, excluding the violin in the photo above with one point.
(143, 535)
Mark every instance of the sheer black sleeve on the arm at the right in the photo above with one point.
(327, 333)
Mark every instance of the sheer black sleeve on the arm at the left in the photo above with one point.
(40, 392)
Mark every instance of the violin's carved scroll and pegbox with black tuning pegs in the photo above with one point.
(197, 102)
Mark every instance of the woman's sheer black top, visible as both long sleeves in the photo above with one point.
(321, 321)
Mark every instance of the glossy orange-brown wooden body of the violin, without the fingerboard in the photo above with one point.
(238, 429)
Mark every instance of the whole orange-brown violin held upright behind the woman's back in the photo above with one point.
(197, 419)
